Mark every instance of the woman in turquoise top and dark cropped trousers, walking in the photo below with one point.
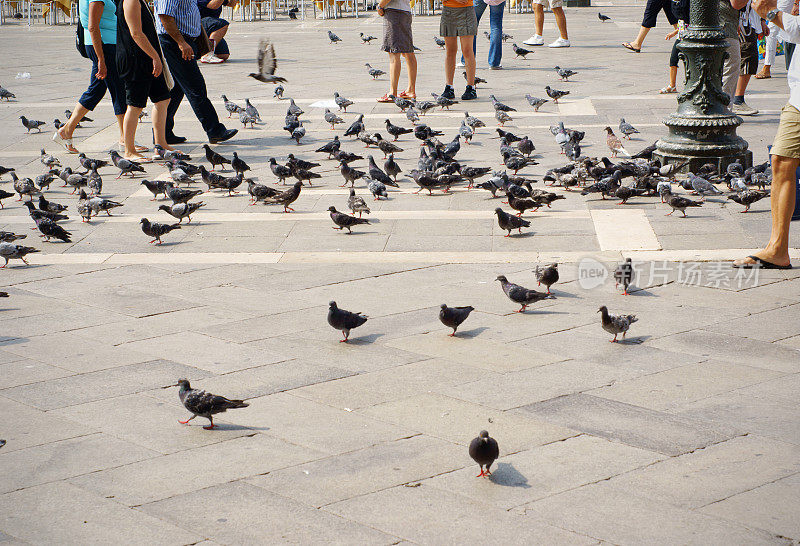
(99, 21)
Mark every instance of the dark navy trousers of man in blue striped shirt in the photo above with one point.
(189, 81)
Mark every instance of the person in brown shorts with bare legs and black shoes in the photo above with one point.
(459, 25)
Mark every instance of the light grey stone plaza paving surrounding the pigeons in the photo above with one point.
(689, 433)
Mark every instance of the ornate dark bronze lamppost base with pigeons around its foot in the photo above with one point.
(703, 130)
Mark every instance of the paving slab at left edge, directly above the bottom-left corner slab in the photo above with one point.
(66, 458)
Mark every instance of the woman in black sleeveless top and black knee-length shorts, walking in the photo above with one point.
(141, 68)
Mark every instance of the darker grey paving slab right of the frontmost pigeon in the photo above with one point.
(632, 425)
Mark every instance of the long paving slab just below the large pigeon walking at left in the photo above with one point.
(194, 469)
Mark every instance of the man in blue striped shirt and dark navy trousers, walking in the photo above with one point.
(178, 27)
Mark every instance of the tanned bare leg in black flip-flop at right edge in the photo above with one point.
(782, 202)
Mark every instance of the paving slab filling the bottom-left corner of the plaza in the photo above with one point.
(69, 515)
